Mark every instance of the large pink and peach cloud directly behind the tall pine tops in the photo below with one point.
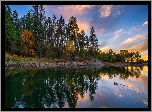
(67, 11)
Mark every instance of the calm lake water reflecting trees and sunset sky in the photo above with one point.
(107, 87)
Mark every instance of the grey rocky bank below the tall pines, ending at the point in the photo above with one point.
(55, 64)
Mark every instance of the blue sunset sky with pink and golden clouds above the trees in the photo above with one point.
(117, 27)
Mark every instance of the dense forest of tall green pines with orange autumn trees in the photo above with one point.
(35, 35)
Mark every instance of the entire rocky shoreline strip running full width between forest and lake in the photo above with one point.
(69, 64)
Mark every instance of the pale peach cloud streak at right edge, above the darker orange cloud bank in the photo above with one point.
(136, 38)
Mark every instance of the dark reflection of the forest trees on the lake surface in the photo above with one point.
(59, 87)
